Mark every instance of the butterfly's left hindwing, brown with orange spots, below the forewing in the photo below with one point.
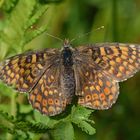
(49, 96)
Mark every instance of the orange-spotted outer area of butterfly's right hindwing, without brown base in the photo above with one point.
(100, 93)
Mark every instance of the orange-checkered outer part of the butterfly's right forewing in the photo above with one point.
(120, 61)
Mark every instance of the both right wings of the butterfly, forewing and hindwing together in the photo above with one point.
(107, 64)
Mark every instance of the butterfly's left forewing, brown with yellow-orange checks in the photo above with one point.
(23, 71)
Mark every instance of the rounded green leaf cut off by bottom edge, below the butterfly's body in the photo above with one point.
(63, 131)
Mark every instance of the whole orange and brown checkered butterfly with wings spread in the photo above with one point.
(53, 77)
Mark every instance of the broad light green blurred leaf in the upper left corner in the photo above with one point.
(14, 31)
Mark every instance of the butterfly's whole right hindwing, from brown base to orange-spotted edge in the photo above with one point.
(97, 91)
